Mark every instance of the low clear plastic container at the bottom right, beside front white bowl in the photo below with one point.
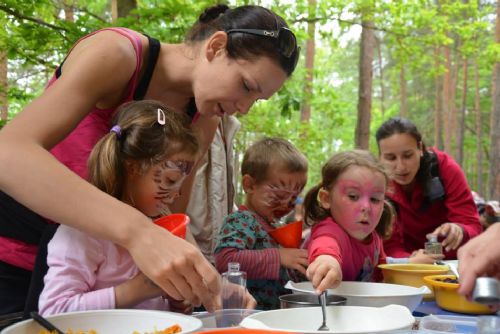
(448, 324)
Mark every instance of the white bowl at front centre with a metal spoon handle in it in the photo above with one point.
(340, 319)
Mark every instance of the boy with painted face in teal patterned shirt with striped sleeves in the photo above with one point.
(273, 173)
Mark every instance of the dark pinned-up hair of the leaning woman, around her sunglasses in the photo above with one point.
(243, 45)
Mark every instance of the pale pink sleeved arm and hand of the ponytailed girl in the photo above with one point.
(75, 260)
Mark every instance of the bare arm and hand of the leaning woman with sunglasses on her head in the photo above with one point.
(96, 68)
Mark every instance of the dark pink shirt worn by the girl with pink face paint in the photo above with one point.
(358, 259)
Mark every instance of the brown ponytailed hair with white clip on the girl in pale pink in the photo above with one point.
(138, 136)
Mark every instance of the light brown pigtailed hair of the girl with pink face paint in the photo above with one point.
(330, 172)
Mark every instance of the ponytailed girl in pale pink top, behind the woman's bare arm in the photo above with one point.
(142, 161)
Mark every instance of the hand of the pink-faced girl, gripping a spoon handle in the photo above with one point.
(324, 273)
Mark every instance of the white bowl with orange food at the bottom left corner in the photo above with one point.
(111, 322)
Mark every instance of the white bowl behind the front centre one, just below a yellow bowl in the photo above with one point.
(375, 294)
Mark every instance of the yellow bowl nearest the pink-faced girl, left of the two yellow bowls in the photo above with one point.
(412, 274)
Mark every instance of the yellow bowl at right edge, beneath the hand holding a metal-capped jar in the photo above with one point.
(448, 298)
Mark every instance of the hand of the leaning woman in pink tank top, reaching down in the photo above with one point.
(176, 266)
